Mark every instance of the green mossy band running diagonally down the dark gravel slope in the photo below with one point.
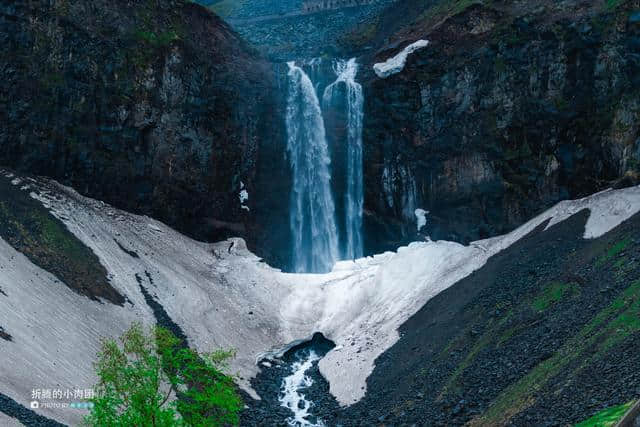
(607, 329)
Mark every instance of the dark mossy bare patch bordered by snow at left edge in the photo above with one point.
(29, 228)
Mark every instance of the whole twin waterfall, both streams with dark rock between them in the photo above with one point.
(325, 212)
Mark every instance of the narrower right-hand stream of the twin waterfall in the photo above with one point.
(354, 100)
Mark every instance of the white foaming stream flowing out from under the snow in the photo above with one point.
(291, 396)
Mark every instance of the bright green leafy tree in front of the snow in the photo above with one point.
(152, 379)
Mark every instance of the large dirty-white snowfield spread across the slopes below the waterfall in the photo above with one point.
(208, 288)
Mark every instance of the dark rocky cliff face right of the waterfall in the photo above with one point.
(508, 110)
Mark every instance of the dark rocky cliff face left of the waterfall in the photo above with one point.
(155, 106)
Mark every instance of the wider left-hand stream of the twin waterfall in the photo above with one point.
(312, 222)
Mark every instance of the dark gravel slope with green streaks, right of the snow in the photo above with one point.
(546, 333)
